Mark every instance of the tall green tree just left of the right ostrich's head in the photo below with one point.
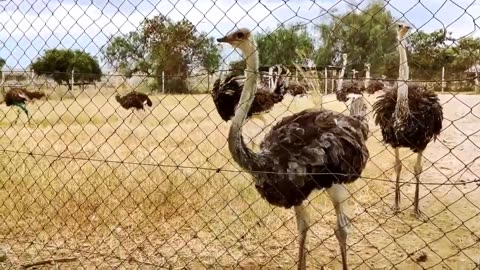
(367, 36)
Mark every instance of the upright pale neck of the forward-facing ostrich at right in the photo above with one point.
(401, 109)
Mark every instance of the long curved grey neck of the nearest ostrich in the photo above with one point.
(245, 157)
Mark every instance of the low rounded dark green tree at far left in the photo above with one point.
(59, 63)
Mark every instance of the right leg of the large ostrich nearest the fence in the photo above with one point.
(339, 195)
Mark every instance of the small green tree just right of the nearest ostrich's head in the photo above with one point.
(284, 46)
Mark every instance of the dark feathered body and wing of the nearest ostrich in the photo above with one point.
(327, 143)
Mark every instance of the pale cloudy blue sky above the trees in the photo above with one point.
(28, 27)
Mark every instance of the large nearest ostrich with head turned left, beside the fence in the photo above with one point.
(312, 149)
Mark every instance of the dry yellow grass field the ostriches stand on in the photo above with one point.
(82, 182)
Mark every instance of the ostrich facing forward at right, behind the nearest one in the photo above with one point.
(409, 116)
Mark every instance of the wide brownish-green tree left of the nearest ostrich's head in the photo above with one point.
(162, 45)
